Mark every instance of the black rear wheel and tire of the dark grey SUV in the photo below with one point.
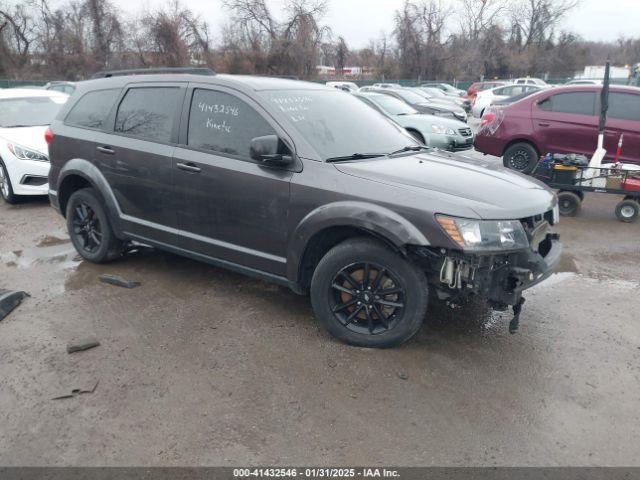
(89, 227)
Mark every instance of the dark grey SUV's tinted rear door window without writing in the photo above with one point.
(148, 113)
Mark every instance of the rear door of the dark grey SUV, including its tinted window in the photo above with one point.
(138, 156)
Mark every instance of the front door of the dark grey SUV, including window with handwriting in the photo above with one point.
(229, 206)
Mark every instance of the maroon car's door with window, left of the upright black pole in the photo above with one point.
(566, 123)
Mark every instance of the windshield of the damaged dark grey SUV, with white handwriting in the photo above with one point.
(336, 124)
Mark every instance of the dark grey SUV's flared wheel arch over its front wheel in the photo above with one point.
(331, 224)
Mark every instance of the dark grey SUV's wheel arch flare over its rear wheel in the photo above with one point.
(83, 168)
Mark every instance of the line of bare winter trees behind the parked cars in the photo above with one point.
(429, 39)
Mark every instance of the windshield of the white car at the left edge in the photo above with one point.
(29, 111)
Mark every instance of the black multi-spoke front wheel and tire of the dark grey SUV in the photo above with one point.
(367, 295)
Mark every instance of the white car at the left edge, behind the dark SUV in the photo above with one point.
(25, 114)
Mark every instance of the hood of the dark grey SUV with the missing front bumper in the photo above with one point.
(491, 191)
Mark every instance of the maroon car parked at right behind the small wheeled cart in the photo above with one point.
(561, 120)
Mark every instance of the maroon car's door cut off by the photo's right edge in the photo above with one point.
(623, 118)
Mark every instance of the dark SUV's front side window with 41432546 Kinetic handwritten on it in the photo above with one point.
(223, 123)
